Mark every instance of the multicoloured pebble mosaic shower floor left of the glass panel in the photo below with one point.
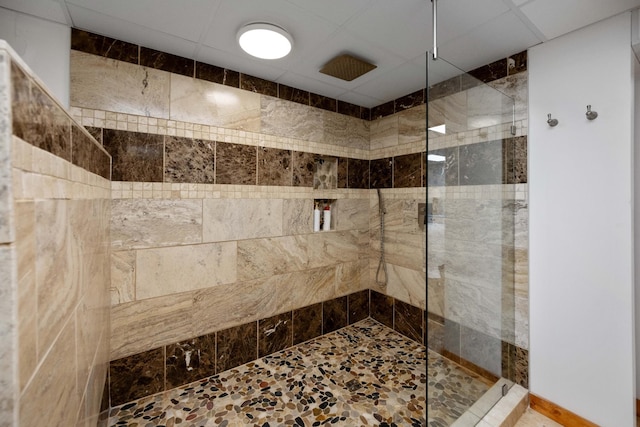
(363, 375)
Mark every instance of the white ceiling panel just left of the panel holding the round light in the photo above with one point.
(185, 19)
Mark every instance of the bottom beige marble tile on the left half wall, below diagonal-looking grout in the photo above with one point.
(54, 385)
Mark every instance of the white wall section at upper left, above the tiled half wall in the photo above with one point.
(44, 45)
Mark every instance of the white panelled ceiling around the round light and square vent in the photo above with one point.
(392, 34)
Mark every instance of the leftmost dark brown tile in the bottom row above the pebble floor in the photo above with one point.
(136, 376)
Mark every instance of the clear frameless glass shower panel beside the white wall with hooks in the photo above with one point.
(470, 235)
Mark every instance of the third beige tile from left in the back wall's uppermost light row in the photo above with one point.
(277, 119)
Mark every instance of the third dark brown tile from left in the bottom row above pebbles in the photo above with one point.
(236, 346)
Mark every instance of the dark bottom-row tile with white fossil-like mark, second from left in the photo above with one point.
(190, 360)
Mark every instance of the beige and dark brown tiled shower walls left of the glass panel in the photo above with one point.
(194, 235)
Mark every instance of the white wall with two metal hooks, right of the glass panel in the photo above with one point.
(581, 223)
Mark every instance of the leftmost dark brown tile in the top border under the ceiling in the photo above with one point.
(107, 47)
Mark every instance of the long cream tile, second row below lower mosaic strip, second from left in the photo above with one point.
(171, 270)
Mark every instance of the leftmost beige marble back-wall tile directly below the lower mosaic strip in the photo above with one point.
(149, 223)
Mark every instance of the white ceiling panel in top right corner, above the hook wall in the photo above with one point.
(554, 18)
